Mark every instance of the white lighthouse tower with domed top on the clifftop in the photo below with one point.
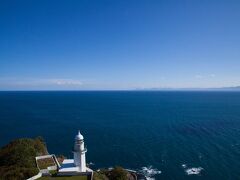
(79, 153)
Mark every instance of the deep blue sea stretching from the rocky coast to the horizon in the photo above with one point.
(163, 133)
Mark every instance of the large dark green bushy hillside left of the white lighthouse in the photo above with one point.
(17, 159)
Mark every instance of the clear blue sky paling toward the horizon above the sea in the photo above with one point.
(119, 44)
